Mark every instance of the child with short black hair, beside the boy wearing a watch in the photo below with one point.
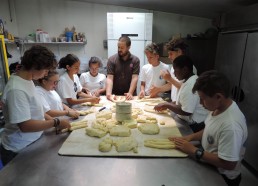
(187, 106)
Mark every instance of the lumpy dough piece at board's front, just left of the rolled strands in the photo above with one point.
(126, 144)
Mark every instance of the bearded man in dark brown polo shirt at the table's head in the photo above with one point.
(123, 70)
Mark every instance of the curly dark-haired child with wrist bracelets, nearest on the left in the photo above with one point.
(23, 110)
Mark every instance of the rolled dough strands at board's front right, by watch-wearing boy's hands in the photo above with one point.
(159, 143)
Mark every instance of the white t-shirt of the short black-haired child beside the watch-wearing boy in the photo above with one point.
(191, 102)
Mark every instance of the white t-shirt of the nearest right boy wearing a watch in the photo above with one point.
(225, 135)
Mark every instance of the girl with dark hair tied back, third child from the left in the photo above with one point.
(69, 86)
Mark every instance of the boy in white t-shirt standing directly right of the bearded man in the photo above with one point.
(150, 74)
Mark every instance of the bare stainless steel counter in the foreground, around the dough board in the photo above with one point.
(40, 165)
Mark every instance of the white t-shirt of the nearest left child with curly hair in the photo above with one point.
(21, 104)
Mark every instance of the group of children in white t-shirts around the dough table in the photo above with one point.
(204, 102)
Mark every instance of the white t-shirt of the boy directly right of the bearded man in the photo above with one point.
(151, 76)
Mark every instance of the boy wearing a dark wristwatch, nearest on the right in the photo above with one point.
(225, 133)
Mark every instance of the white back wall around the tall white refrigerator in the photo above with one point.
(54, 15)
